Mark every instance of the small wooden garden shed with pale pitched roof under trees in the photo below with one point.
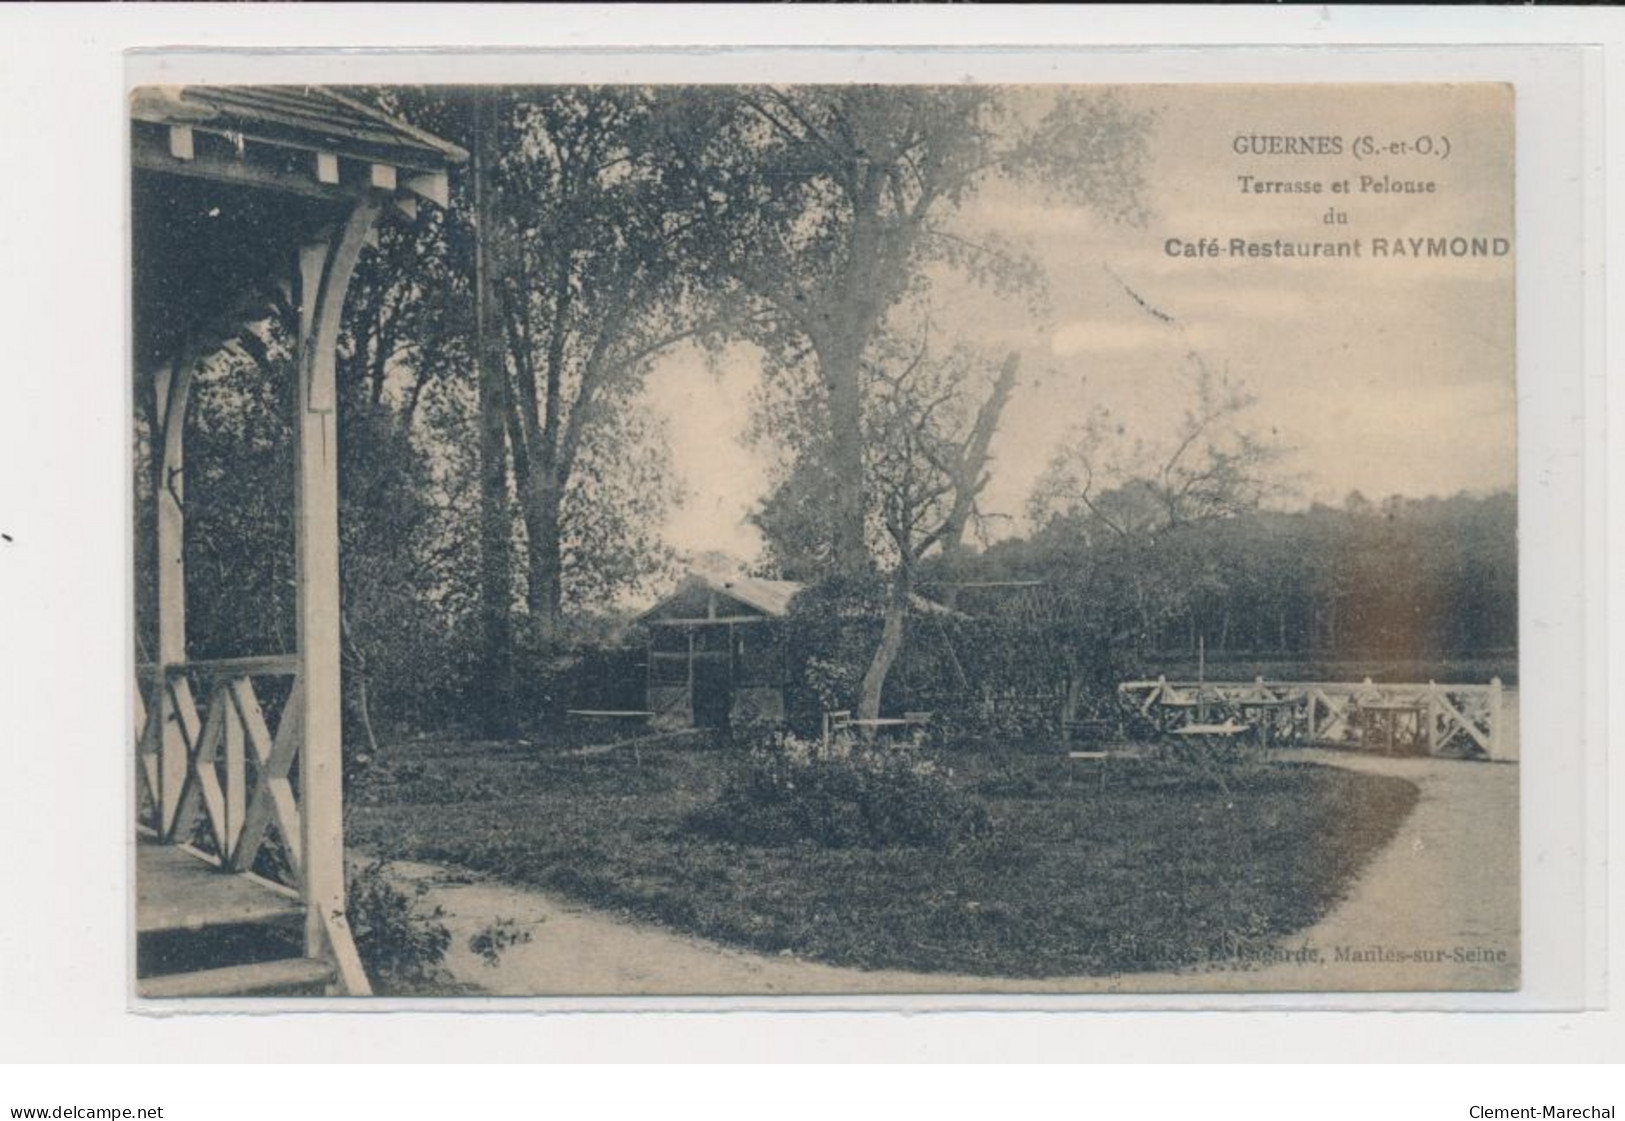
(717, 652)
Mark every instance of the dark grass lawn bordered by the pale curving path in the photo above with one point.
(1156, 872)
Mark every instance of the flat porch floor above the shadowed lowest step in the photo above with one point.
(176, 891)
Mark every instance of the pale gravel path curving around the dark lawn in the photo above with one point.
(1436, 911)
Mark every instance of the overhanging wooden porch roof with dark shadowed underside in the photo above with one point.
(232, 180)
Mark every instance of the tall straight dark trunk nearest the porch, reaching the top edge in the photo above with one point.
(496, 565)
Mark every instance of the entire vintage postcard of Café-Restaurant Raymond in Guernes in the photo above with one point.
(825, 540)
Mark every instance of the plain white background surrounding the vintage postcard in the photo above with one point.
(64, 444)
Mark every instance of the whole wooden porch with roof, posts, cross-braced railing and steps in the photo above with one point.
(241, 194)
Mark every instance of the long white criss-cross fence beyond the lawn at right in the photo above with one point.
(1437, 719)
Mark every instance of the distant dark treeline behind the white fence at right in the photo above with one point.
(1398, 581)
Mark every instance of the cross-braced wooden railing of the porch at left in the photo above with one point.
(222, 763)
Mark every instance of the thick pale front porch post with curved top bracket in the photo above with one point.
(324, 279)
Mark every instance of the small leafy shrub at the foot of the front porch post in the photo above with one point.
(401, 945)
